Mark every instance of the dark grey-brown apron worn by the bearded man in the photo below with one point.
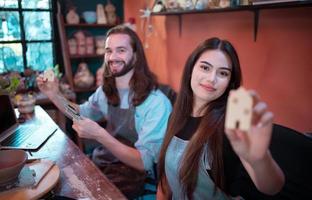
(120, 124)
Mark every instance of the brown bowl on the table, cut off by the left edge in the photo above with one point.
(11, 164)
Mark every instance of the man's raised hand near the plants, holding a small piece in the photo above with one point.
(49, 88)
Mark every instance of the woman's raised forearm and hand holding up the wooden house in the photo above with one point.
(252, 148)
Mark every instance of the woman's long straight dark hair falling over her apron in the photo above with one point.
(211, 128)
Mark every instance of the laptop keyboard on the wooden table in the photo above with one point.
(19, 136)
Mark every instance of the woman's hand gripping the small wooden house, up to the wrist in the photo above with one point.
(252, 146)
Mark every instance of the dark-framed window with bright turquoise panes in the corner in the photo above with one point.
(26, 35)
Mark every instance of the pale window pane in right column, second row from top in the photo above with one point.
(37, 25)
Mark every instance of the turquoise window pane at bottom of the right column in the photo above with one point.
(39, 55)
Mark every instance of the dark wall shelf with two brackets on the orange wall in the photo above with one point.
(253, 8)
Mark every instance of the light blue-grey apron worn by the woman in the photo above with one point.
(205, 186)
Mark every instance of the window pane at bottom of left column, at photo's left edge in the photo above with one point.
(11, 57)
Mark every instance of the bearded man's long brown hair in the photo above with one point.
(143, 80)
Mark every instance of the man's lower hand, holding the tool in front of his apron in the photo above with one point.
(86, 128)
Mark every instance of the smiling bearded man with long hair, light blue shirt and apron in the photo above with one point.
(136, 113)
